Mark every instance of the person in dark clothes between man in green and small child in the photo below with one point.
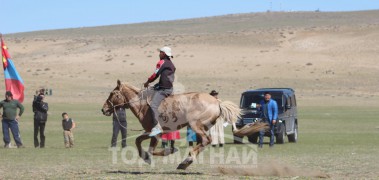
(40, 109)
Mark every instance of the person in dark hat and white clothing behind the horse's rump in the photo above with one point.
(217, 130)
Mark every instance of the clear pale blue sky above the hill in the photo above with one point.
(34, 15)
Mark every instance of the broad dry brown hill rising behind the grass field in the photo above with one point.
(322, 56)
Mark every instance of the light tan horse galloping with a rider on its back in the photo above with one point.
(198, 110)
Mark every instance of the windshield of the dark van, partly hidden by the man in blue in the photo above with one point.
(248, 99)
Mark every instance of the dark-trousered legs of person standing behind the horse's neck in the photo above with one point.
(119, 123)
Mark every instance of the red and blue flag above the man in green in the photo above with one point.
(13, 81)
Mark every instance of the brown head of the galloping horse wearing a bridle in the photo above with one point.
(115, 99)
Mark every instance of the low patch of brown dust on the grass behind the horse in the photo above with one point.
(272, 169)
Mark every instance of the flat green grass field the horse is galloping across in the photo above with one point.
(339, 141)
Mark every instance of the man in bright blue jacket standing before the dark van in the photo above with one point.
(269, 114)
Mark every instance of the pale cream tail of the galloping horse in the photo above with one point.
(230, 112)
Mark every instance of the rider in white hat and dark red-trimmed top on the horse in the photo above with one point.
(165, 70)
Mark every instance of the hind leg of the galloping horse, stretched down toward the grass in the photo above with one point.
(197, 149)
